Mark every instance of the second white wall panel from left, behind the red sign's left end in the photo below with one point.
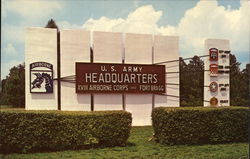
(75, 47)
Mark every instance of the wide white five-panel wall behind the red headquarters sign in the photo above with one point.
(100, 47)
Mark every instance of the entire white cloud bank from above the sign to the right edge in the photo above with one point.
(206, 20)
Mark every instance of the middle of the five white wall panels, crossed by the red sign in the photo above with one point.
(107, 48)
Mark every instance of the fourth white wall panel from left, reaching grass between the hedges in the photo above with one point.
(138, 50)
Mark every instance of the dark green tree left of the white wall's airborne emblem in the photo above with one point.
(13, 87)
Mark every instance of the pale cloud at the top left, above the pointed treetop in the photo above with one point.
(32, 8)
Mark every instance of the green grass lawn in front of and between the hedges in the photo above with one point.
(140, 147)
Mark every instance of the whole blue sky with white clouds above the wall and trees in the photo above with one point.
(192, 20)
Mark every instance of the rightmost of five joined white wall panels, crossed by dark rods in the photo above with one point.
(166, 48)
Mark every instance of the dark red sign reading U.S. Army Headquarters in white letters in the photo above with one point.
(119, 78)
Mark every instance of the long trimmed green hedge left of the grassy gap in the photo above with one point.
(38, 131)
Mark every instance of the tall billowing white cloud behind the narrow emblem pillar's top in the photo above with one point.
(208, 20)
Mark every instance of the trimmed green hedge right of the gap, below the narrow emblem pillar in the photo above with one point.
(200, 125)
